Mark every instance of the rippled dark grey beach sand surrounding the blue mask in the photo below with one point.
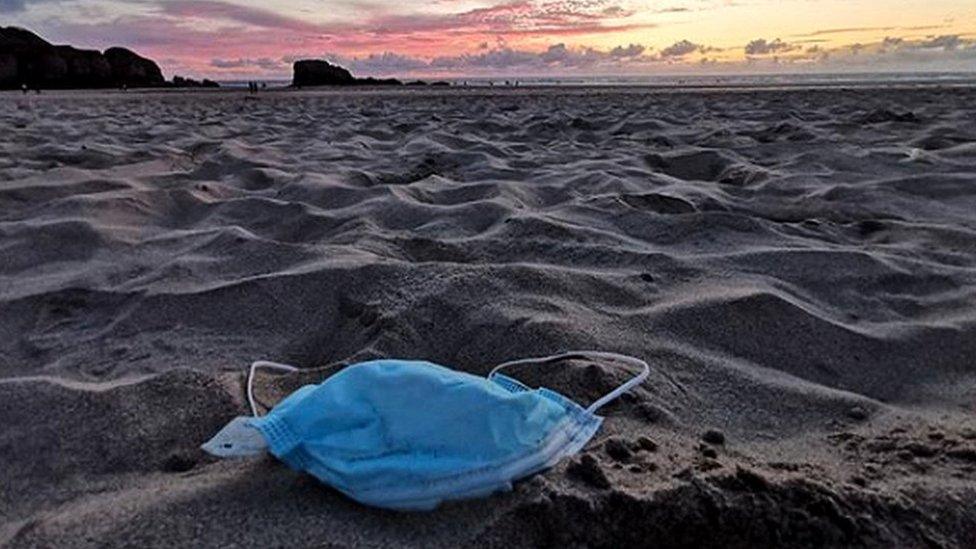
(798, 265)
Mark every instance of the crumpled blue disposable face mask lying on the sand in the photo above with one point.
(409, 435)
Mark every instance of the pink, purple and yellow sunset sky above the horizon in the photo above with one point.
(227, 39)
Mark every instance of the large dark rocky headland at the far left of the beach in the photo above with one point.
(27, 59)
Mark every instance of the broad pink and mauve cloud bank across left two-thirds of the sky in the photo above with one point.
(183, 31)
